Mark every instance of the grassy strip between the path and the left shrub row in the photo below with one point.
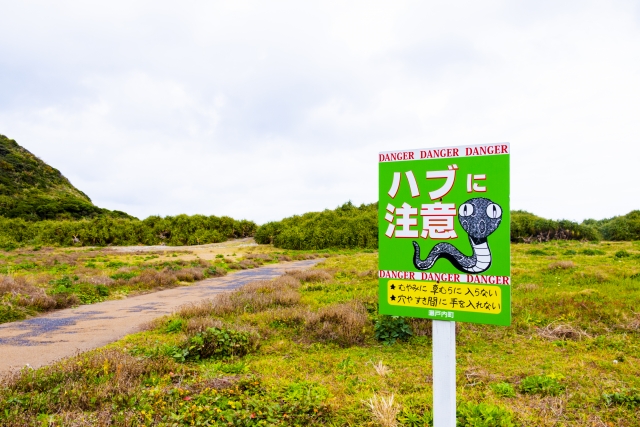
(38, 280)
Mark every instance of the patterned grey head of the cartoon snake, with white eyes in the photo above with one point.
(479, 217)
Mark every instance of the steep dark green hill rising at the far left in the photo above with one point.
(32, 190)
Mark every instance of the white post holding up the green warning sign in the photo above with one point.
(444, 373)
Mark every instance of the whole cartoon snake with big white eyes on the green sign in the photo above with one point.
(479, 217)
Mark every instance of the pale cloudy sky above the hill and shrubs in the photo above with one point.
(261, 110)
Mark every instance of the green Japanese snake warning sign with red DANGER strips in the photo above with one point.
(444, 234)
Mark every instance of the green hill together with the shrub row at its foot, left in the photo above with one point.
(39, 206)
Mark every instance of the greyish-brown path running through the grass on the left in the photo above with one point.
(41, 340)
